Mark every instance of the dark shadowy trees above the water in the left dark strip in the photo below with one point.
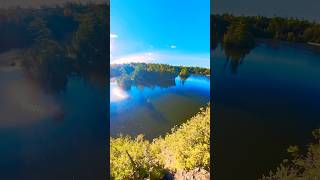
(57, 42)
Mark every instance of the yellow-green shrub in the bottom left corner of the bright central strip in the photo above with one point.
(131, 159)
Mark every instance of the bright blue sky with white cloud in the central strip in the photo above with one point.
(162, 31)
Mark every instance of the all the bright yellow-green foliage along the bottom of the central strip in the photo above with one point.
(186, 147)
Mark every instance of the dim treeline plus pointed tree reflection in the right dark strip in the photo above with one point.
(237, 35)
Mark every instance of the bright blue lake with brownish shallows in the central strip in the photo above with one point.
(153, 108)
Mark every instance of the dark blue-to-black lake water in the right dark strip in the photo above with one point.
(265, 100)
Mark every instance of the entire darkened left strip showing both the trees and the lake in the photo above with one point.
(53, 91)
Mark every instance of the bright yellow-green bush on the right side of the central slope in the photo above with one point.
(187, 146)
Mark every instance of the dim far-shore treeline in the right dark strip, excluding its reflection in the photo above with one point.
(237, 28)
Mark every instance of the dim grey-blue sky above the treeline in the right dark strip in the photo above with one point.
(306, 9)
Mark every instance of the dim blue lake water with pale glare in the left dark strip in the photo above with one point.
(53, 125)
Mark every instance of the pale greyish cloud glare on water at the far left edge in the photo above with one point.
(22, 100)
